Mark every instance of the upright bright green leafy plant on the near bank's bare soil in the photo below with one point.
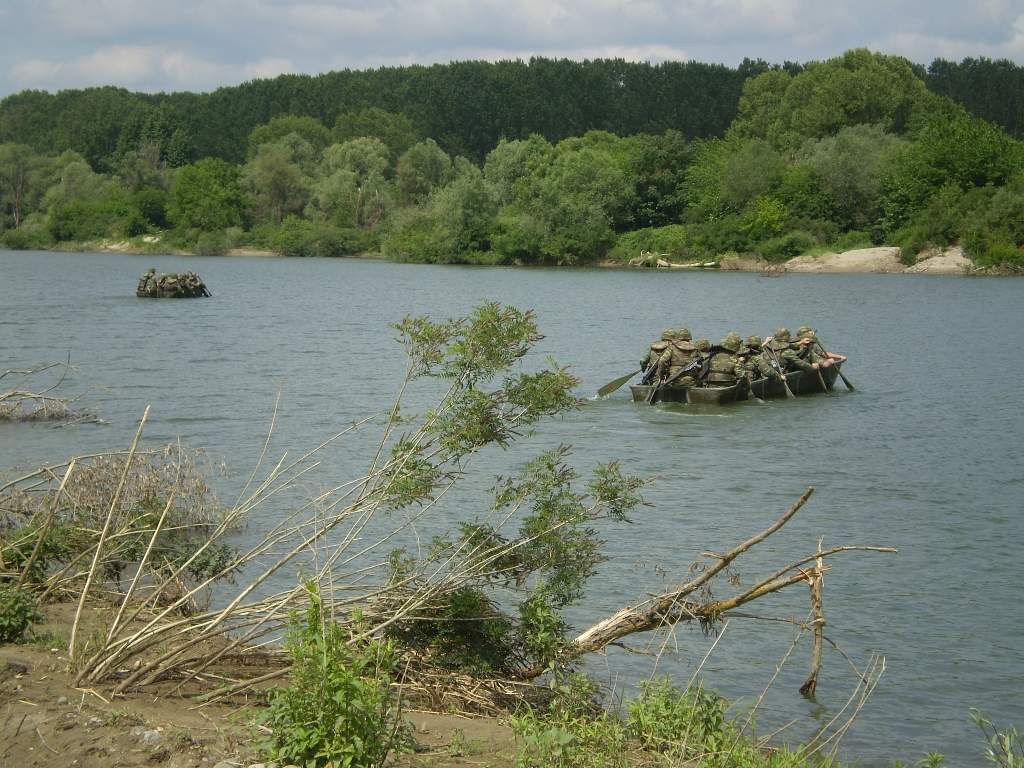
(339, 710)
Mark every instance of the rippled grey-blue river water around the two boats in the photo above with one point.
(925, 456)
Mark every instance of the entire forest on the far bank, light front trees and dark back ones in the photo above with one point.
(546, 162)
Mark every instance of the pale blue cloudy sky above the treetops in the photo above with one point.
(168, 46)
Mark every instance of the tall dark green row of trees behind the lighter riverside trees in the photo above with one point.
(465, 107)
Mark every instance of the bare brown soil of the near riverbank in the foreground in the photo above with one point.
(46, 721)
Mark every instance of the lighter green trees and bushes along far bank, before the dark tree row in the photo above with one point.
(828, 156)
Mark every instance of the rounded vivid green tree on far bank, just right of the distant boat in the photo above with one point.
(207, 196)
